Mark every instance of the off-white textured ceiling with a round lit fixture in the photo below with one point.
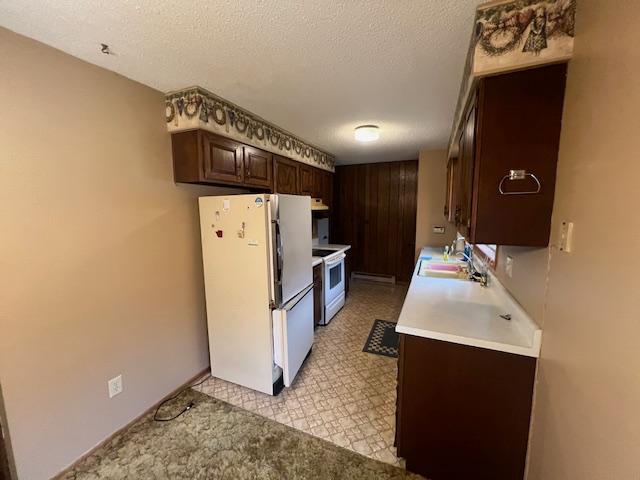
(315, 68)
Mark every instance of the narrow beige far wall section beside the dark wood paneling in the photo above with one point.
(432, 181)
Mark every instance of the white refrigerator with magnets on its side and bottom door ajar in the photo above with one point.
(256, 253)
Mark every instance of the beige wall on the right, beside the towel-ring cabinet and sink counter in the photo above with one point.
(586, 422)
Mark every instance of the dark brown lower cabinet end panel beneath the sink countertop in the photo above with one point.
(463, 412)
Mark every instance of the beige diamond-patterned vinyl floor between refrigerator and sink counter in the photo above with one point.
(342, 394)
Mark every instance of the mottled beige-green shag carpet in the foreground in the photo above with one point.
(215, 440)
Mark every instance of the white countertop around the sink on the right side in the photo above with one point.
(464, 312)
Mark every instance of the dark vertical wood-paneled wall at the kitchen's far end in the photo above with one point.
(375, 213)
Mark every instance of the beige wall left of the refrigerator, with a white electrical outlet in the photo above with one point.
(100, 263)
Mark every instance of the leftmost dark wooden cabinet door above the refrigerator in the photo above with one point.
(222, 159)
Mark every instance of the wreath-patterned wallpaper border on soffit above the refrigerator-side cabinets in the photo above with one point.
(196, 107)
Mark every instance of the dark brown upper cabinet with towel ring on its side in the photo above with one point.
(502, 181)
